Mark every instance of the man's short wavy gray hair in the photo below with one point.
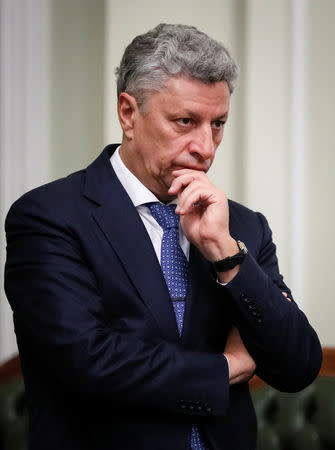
(171, 50)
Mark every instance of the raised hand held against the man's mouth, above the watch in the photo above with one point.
(204, 214)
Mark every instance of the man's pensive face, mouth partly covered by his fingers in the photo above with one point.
(181, 127)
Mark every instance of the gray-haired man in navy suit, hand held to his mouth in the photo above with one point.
(134, 333)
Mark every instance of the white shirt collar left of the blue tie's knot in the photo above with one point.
(138, 193)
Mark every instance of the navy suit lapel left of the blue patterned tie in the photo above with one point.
(119, 220)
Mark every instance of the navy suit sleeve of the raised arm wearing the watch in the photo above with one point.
(275, 331)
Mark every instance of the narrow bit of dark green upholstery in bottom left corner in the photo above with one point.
(13, 416)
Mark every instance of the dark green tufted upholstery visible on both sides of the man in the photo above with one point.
(305, 420)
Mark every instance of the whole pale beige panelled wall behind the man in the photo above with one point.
(278, 151)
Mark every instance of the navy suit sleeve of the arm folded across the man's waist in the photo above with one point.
(58, 314)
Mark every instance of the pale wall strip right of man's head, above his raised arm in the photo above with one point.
(267, 112)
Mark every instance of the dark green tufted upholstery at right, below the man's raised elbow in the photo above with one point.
(304, 420)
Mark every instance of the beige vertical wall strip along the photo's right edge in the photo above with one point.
(320, 166)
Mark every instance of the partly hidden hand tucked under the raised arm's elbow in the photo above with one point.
(241, 365)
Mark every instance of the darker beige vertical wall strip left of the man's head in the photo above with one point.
(77, 83)
